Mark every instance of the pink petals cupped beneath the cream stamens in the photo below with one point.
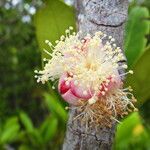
(71, 93)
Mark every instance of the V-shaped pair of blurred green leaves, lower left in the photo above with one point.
(38, 137)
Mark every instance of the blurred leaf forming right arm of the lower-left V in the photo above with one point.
(48, 128)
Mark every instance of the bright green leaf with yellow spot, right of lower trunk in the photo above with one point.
(131, 134)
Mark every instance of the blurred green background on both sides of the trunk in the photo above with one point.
(32, 116)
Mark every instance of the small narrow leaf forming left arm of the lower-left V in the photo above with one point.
(26, 121)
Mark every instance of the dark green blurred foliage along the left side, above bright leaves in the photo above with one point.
(19, 56)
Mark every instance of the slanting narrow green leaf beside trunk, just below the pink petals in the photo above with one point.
(55, 107)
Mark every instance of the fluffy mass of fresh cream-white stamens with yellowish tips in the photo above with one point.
(90, 61)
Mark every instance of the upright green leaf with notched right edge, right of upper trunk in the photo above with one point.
(136, 29)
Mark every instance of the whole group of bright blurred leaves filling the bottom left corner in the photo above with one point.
(29, 137)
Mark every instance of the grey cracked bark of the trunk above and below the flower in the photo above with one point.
(109, 17)
